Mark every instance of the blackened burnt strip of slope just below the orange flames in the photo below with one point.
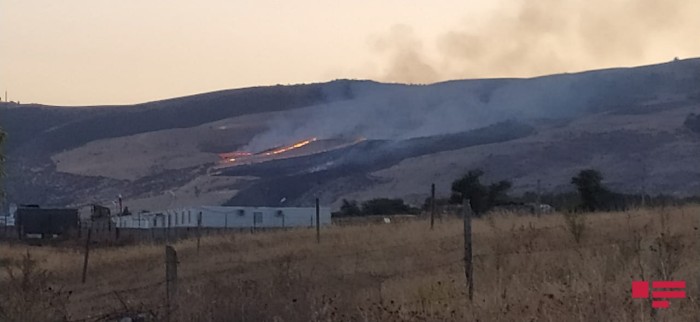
(292, 178)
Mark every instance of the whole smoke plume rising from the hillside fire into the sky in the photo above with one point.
(531, 38)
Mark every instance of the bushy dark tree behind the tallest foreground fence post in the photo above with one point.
(482, 198)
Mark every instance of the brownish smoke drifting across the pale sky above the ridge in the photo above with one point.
(532, 38)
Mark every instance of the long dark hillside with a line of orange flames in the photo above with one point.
(365, 139)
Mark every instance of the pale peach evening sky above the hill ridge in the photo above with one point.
(100, 52)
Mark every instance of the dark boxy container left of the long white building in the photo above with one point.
(45, 221)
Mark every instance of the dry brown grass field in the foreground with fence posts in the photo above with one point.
(553, 268)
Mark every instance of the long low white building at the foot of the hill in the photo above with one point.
(227, 217)
